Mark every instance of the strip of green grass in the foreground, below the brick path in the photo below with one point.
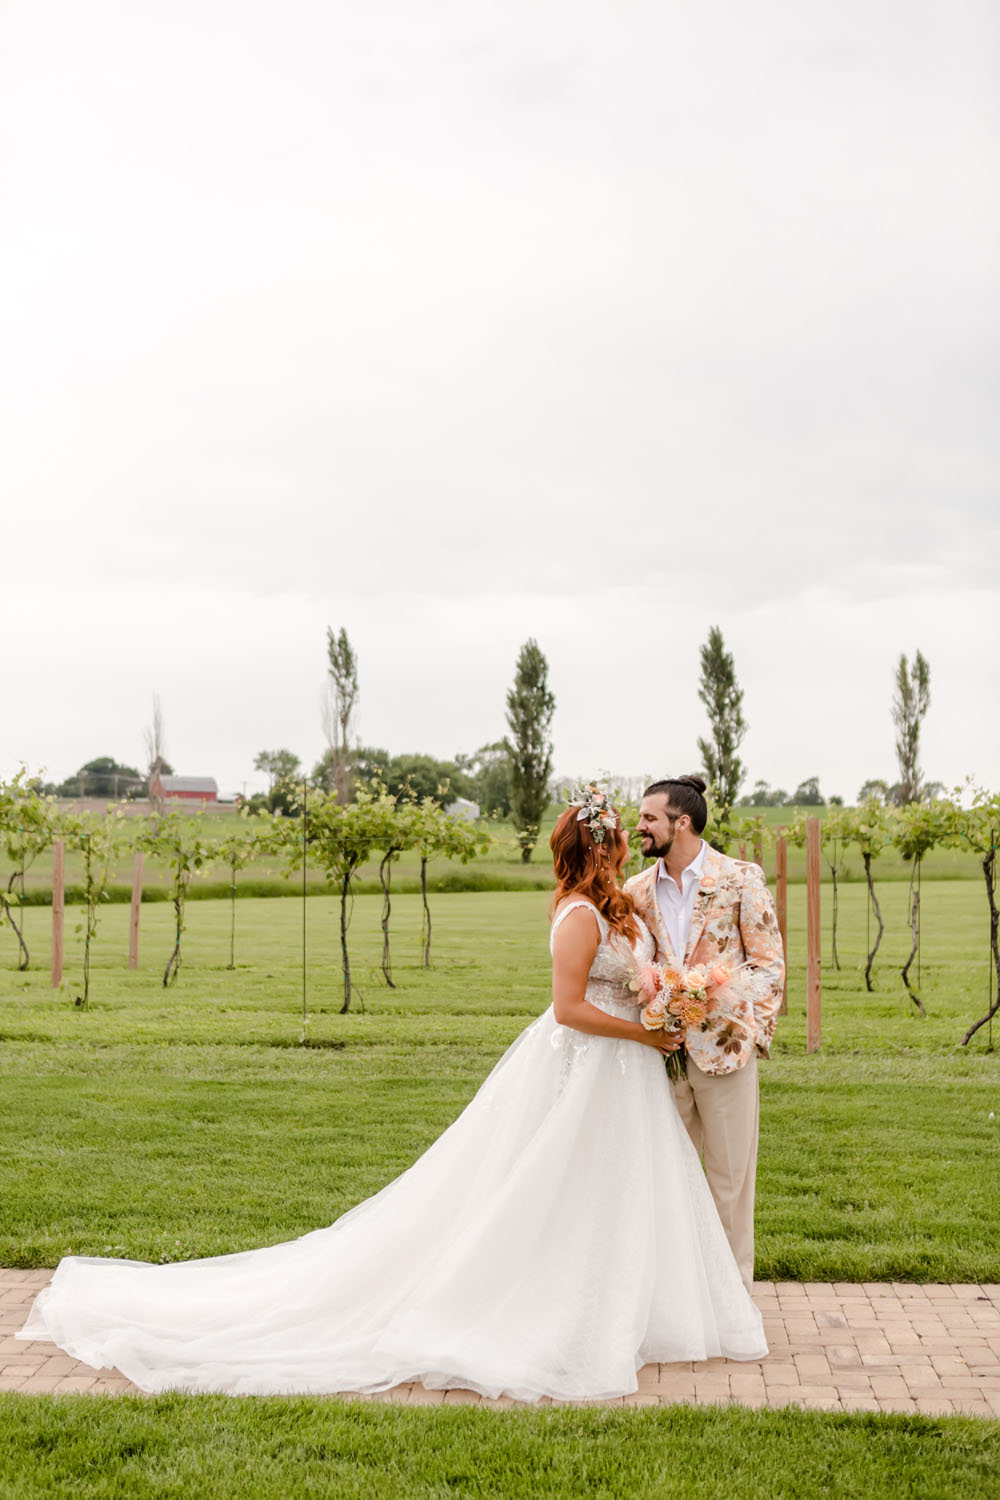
(248, 1450)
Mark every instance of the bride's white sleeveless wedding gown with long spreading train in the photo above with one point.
(552, 1241)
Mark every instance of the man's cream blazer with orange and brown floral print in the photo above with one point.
(734, 922)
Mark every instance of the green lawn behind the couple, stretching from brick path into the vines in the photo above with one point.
(190, 1123)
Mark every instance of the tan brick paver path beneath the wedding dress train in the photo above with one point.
(836, 1346)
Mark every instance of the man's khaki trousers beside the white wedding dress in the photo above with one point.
(723, 1120)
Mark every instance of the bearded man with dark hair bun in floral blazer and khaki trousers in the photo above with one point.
(704, 908)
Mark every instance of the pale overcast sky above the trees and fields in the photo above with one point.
(461, 323)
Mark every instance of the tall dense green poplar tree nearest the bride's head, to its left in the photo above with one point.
(530, 710)
